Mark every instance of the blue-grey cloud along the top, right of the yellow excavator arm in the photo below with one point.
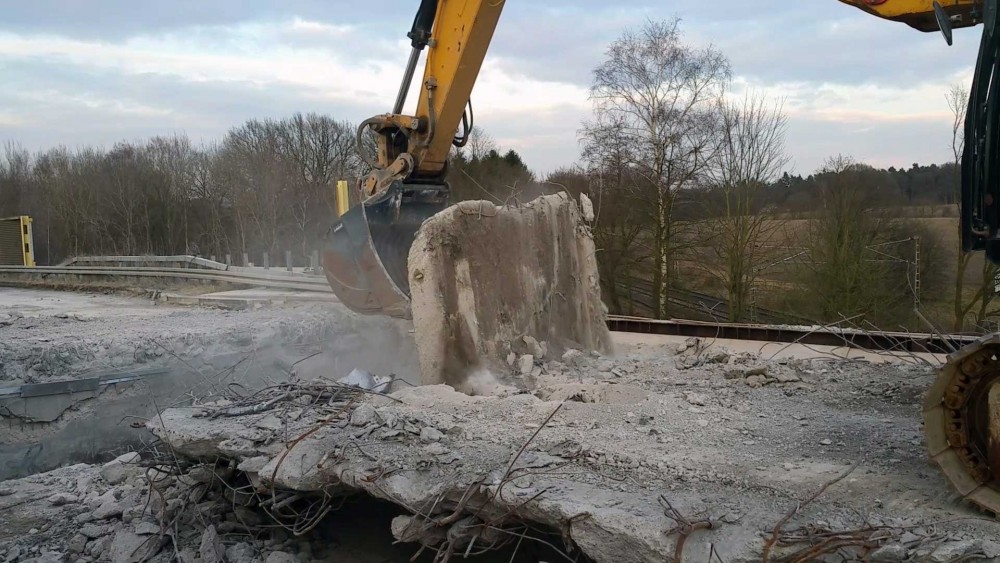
(800, 41)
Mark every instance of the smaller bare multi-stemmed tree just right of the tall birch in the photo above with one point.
(751, 155)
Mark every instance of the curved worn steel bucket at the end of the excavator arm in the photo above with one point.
(365, 260)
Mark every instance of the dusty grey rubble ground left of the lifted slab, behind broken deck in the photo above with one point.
(51, 336)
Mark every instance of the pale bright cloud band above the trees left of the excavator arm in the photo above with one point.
(202, 110)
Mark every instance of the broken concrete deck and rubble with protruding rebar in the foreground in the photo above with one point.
(607, 459)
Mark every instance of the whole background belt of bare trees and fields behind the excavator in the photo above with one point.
(688, 181)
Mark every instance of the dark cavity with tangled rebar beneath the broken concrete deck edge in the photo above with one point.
(346, 526)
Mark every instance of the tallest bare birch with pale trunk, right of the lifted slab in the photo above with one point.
(660, 93)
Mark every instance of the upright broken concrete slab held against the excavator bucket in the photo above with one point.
(487, 280)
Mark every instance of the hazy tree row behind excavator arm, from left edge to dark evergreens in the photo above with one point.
(267, 186)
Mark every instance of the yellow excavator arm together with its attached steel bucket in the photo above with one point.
(366, 260)
